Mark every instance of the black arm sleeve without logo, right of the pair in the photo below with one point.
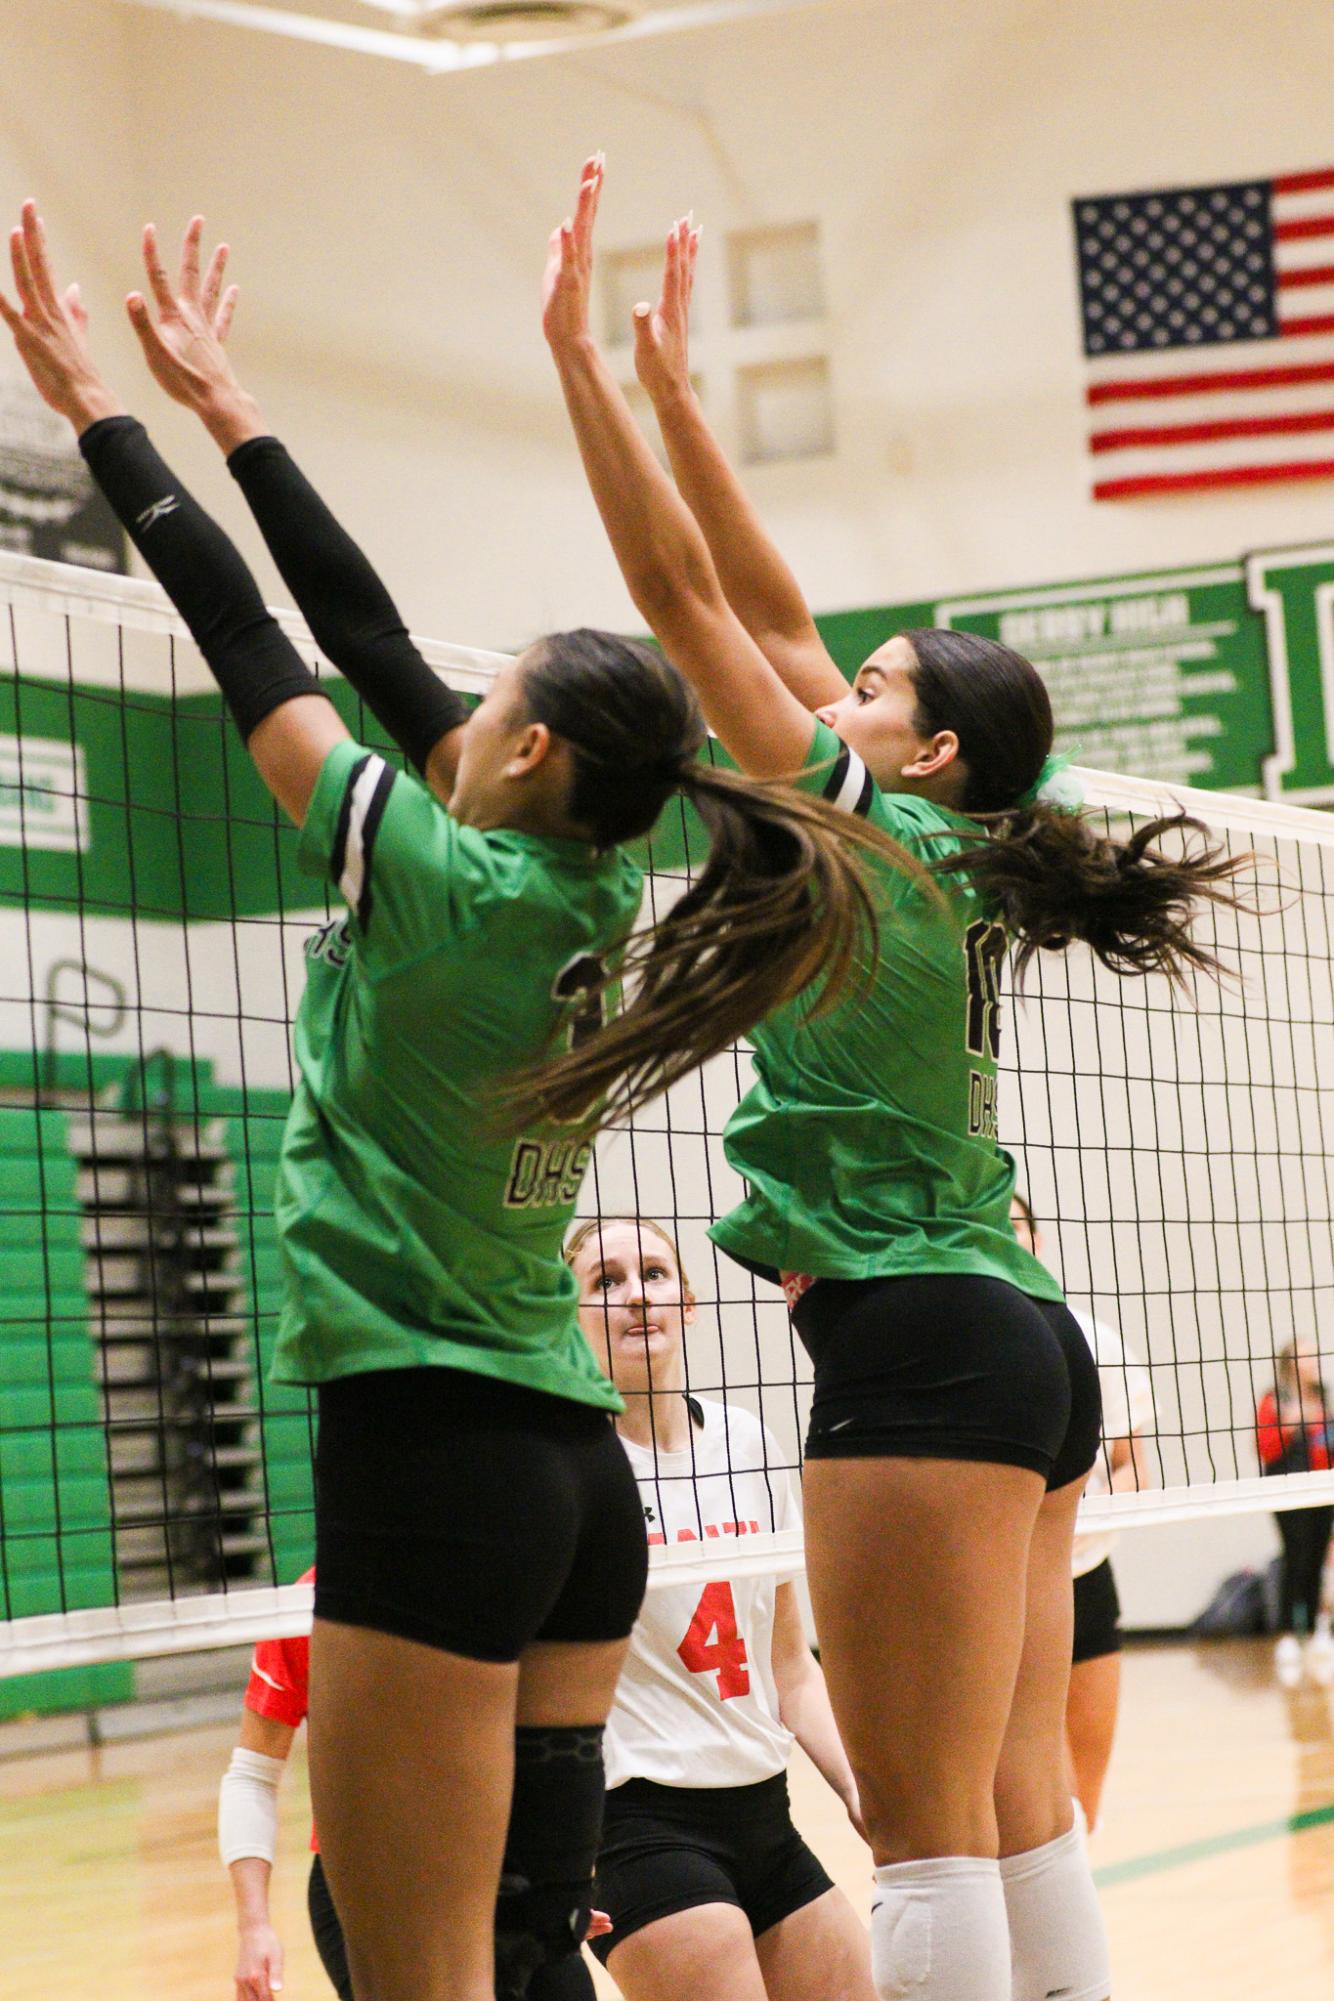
(349, 611)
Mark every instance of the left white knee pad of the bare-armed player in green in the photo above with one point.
(939, 1932)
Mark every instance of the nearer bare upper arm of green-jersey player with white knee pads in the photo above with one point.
(757, 719)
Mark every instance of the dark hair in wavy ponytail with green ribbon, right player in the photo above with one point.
(1053, 875)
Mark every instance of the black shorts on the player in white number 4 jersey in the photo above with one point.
(671, 1848)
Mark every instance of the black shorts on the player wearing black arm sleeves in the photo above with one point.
(473, 1516)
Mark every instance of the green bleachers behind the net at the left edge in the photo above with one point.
(55, 1518)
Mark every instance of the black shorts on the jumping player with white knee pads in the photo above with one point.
(949, 1368)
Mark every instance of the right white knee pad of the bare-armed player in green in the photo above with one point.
(1059, 1942)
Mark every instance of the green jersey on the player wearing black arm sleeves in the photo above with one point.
(411, 1232)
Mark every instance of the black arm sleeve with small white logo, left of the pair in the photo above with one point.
(203, 573)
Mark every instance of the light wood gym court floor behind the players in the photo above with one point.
(1217, 1852)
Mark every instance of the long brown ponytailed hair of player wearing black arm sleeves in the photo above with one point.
(781, 905)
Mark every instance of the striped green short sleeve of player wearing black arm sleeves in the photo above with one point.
(405, 867)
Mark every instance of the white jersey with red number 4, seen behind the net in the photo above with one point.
(697, 1702)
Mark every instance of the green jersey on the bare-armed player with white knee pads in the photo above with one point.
(869, 1140)
